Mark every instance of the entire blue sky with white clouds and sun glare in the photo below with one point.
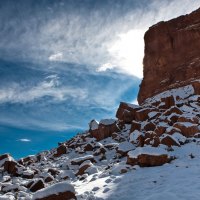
(65, 62)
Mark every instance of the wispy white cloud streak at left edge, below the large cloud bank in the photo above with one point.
(50, 87)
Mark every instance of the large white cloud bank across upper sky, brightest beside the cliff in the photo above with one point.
(94, 37)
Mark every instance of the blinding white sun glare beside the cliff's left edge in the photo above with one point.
(128, 52)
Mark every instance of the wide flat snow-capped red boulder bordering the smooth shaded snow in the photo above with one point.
(147, 157)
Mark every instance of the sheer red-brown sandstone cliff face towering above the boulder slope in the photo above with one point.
(172, 55)
